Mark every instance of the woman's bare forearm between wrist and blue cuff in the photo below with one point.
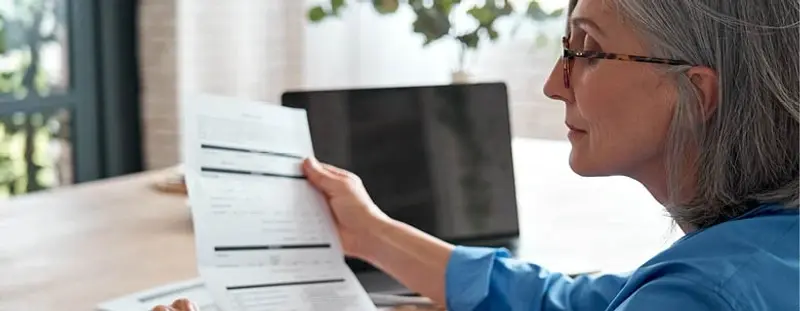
(415, 258)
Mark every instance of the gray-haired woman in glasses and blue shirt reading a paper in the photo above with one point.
(699, 103)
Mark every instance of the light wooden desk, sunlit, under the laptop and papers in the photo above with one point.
(72, 248)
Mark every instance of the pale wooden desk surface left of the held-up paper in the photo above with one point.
(70, 249)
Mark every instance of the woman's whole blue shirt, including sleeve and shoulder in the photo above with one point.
(750, 263)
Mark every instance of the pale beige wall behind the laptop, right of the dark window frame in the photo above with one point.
(257, 48)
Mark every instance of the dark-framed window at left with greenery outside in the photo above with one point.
(56, 117)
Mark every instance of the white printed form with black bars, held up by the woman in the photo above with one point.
(265, 238)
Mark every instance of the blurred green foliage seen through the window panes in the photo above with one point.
(29, 140)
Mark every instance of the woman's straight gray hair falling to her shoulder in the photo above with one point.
(747, 150)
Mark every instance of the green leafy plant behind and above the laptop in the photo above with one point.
(435, 20)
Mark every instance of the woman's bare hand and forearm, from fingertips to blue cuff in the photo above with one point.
(415, 258)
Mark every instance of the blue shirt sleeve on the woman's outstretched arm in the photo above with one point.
(485, 279)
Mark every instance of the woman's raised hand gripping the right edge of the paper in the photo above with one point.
(355, 215)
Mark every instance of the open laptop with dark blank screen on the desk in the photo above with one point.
(436, 157)
